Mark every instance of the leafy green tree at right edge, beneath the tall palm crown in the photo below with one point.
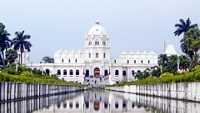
(190, 45)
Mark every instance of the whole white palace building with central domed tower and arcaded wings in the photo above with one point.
(95, 62)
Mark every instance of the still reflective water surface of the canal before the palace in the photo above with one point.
(99, 101)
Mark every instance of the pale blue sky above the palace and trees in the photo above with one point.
(132, 25)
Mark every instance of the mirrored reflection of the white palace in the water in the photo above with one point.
(95, 102)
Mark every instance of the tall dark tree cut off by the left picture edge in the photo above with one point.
(5, 42)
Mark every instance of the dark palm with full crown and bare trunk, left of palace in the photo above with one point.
(20, 43)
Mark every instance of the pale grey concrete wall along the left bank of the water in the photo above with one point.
(13, 91)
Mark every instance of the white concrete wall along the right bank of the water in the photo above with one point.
(181, 91)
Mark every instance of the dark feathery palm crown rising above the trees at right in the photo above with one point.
(184, 26)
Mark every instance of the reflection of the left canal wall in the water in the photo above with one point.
(30, 105)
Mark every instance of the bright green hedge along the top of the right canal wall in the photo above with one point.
(193, 76)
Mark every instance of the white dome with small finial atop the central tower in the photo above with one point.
(97, 29)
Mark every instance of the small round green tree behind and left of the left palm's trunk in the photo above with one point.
(11, 56)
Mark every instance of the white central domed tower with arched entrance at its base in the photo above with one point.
(97, 51)
